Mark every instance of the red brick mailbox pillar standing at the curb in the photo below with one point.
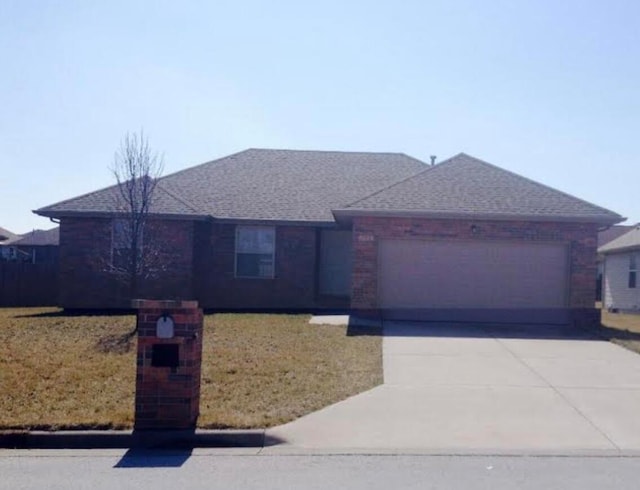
(168, 364)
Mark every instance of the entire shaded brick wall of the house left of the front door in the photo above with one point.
(200, 264)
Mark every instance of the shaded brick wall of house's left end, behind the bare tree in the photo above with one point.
(85, 254)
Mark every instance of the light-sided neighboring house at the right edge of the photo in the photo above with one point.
(621, 261)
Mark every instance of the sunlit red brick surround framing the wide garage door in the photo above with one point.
(581, 238)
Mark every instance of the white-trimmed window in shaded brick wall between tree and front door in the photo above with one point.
(255, 251)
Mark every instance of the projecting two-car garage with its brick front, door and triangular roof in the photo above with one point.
(464, 240)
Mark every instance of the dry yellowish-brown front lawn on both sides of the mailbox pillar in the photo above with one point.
(59, 371)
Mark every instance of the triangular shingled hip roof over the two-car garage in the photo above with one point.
(463, 186)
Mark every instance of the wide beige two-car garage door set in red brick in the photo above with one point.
(472, 275)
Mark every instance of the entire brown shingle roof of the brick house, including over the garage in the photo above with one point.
(305, 186)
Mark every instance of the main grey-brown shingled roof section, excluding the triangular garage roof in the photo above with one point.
(257, 184)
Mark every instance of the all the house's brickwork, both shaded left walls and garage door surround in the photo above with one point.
(200, 257)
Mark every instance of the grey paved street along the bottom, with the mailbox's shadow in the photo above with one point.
(229, 469)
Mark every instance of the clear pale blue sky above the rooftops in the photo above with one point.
(547, 89)
